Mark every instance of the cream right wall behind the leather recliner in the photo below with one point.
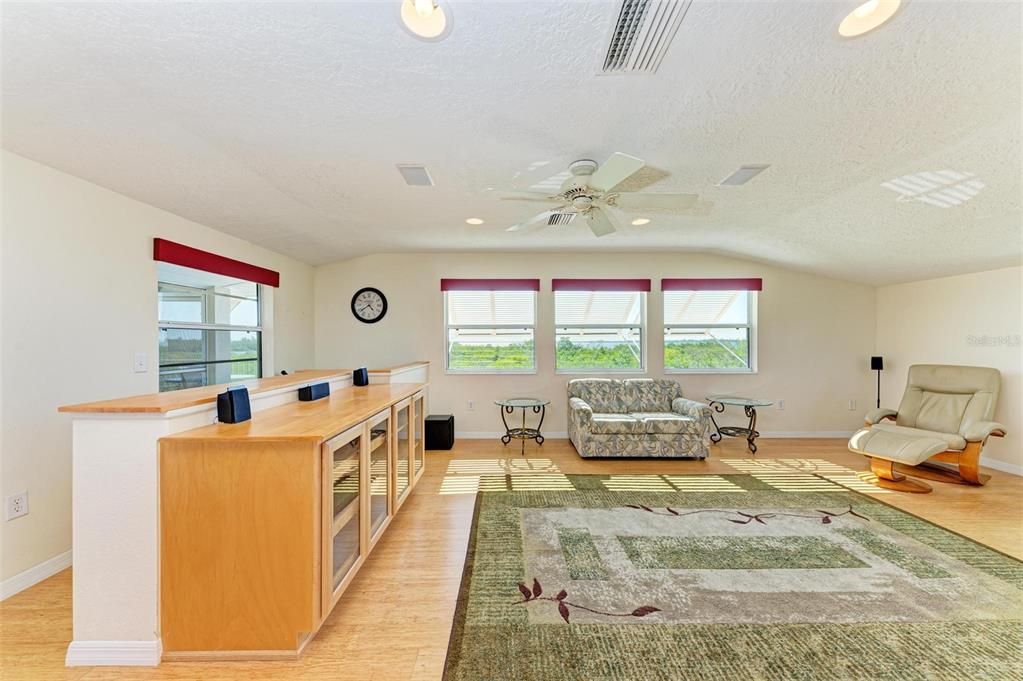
(972, 320)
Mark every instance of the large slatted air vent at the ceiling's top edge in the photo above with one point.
(643, 34)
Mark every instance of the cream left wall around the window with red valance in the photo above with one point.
(79, 300)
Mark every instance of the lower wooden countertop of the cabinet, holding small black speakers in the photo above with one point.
(314, 422)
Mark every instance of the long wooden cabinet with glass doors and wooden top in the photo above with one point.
(263, 524)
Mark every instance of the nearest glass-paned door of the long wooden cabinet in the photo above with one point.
(343, 468)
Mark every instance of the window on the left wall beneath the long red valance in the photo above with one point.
(210, 329)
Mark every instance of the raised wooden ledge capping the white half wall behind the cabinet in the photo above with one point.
(158, 403)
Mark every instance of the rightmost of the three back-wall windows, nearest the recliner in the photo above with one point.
(709, 330)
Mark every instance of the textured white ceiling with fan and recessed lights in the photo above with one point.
(283, 123)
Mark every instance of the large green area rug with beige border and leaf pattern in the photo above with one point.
(752, 582)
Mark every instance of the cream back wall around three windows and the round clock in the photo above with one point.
(816, 335)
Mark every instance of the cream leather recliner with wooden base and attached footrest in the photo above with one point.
(946, 417)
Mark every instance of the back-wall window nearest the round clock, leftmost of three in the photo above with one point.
(490, 331)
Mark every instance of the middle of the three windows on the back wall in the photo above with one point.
(599, 331)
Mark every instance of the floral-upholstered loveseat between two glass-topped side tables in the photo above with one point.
(637, 418)
